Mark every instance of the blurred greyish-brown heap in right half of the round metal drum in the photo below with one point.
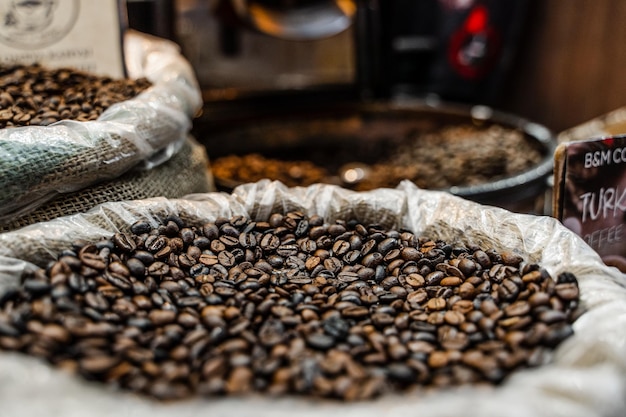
(460, 155)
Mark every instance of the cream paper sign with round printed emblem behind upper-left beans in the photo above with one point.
(81, 34)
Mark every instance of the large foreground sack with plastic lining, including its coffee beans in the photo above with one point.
(272, 301)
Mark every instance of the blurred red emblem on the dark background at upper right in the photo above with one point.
(474, 47)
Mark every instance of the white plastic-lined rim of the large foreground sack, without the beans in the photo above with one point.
(586, 376)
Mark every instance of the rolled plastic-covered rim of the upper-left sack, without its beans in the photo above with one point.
(39, 162)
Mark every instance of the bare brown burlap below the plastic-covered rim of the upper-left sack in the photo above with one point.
(185, 173)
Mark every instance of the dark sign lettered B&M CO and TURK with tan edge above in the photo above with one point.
(590, 184)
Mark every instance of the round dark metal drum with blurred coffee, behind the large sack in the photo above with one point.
(458, 148)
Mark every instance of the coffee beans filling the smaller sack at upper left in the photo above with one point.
(33, 95)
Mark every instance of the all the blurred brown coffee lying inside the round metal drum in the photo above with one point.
(455, 155)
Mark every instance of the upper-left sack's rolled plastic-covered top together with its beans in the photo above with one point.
(62, 130)
